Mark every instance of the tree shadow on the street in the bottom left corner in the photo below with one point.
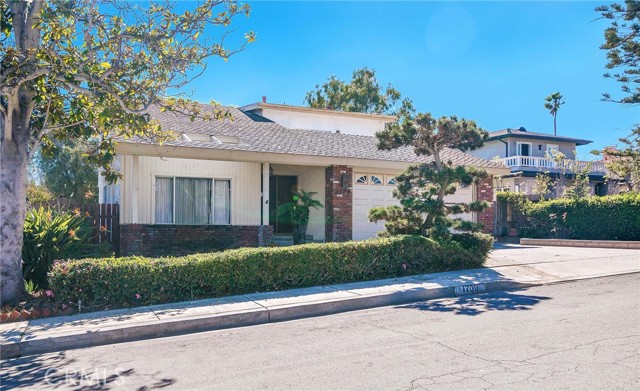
(57, 371)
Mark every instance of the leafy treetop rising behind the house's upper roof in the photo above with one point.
(363, 94)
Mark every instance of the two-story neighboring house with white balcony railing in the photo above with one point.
(529, 153)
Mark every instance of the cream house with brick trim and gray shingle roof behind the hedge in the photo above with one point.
(217, 185)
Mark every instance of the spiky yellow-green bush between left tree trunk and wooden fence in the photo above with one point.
(50, 235)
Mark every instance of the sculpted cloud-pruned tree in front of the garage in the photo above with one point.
(422, 188)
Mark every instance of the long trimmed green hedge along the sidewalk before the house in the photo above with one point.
(131, 281)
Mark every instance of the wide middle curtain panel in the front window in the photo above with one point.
(193, 201)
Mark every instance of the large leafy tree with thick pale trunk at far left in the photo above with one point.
(89, 69)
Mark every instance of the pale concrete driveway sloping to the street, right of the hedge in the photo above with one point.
(553, 262)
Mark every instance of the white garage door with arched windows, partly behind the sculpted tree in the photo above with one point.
(371, 190)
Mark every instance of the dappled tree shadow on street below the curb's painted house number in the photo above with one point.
(472, 306)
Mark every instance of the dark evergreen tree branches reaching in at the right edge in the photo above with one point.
(622, 44)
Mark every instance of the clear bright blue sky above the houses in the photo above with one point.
(493, 62)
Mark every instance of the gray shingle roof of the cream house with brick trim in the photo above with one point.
(255, 133)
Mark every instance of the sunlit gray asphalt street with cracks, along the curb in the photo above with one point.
(581, 335)
